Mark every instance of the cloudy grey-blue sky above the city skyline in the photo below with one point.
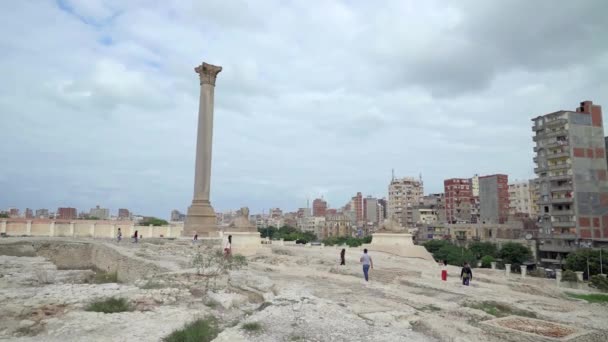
(98, 99)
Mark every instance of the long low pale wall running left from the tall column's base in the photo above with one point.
(84, 228)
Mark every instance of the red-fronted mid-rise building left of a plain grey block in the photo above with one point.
(458, 199)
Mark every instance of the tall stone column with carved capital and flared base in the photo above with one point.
(201, 218)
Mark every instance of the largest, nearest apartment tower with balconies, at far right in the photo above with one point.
(572, 173)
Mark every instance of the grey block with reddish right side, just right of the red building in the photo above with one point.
(494, 198)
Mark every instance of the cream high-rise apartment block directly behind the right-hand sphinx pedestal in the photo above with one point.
(403, 194)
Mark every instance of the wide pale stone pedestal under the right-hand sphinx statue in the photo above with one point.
(400, 244)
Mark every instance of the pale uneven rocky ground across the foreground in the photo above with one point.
(292, 293)
